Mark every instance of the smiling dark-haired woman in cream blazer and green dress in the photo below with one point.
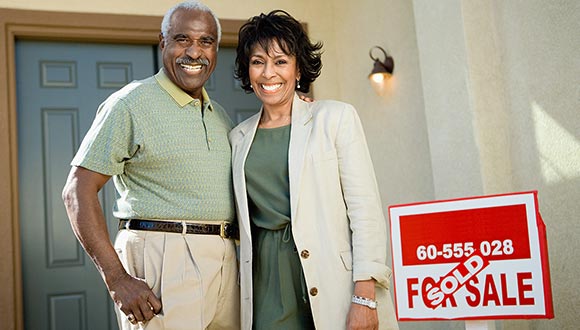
(312, 232)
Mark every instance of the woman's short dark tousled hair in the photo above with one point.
(278, 26)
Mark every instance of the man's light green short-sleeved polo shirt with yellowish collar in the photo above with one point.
(168, 153)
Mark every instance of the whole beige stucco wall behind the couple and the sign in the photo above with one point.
(484, 99)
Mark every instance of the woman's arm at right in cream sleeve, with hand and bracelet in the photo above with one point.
(366, 218)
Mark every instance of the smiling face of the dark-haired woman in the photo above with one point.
(273, 75)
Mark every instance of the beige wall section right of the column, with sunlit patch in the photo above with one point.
(540, 47)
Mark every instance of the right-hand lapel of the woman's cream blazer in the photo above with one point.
(301, 128)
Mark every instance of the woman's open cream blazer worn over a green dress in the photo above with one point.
(336, 214)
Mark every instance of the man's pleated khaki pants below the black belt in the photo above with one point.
(195, 276)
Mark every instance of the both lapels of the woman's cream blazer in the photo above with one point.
(302, 119)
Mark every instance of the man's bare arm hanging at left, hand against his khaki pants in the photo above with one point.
(80, 196)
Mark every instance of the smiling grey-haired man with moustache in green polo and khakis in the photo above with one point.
(164, 143)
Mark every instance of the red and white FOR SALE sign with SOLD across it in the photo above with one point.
(473, 258)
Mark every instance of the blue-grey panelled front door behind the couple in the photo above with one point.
(59, 87)
